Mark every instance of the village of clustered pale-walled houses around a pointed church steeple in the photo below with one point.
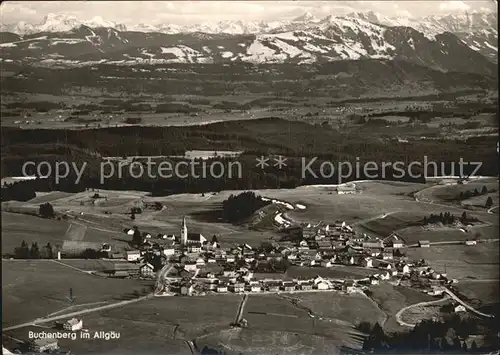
(191, 264)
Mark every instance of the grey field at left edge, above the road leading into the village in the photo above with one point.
(33, 289)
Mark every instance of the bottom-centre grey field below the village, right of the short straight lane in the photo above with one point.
(276, 325)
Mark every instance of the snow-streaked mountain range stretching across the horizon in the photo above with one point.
(462, 42)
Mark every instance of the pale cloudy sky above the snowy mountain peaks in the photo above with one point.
(189, 12)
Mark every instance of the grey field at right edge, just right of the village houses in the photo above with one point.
(460, 261)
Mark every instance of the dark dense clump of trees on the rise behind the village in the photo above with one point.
(237, 208)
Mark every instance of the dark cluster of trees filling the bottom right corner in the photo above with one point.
(433, 336)
